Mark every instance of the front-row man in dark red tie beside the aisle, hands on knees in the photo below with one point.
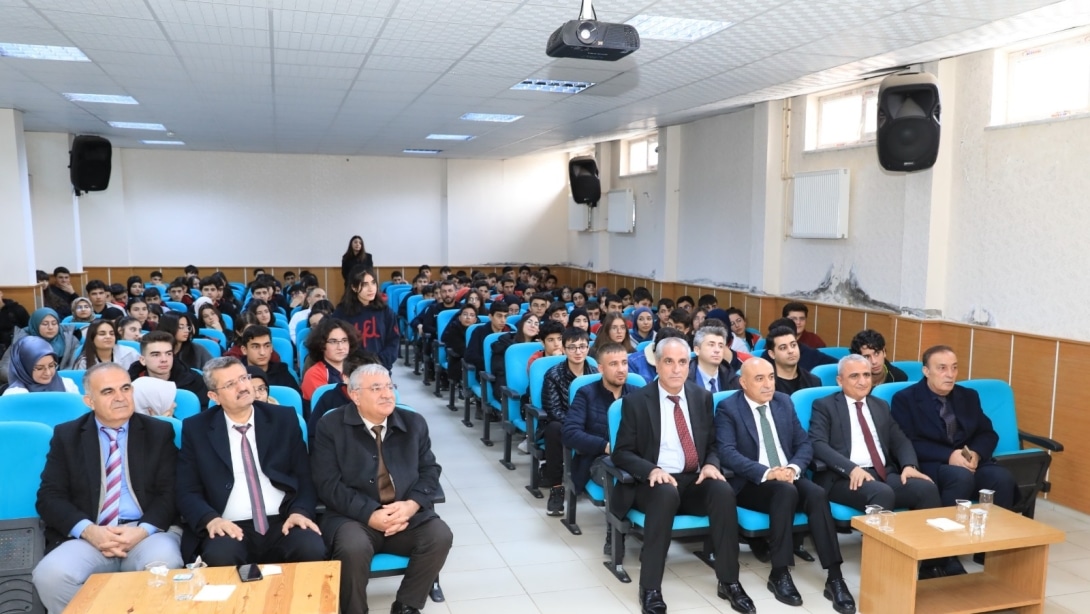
(667, 442)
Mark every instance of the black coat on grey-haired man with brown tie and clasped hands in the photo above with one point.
(346, 468)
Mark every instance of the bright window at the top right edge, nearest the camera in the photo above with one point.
(1043, 82)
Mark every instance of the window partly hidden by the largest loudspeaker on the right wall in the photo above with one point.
(846, 118)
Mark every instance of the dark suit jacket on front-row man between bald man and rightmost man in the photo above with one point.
(831, 434)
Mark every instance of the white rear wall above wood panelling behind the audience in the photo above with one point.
(175, 208)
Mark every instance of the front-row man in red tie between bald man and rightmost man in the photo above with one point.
(869, 461)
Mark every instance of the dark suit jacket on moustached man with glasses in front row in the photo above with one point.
(205, 475)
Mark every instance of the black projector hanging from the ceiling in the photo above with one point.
(590, 40)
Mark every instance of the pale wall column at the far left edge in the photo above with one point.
(17, 233)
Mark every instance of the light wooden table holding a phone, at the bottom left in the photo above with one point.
(304, 588)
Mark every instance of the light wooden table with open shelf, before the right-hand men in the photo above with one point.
(1014, 571)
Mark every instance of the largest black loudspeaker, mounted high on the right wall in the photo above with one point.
(909, 123)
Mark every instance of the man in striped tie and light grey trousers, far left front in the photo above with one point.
(123, 526)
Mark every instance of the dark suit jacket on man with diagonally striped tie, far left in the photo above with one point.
(72, 483)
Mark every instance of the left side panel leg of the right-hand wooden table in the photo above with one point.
(888, 584)
